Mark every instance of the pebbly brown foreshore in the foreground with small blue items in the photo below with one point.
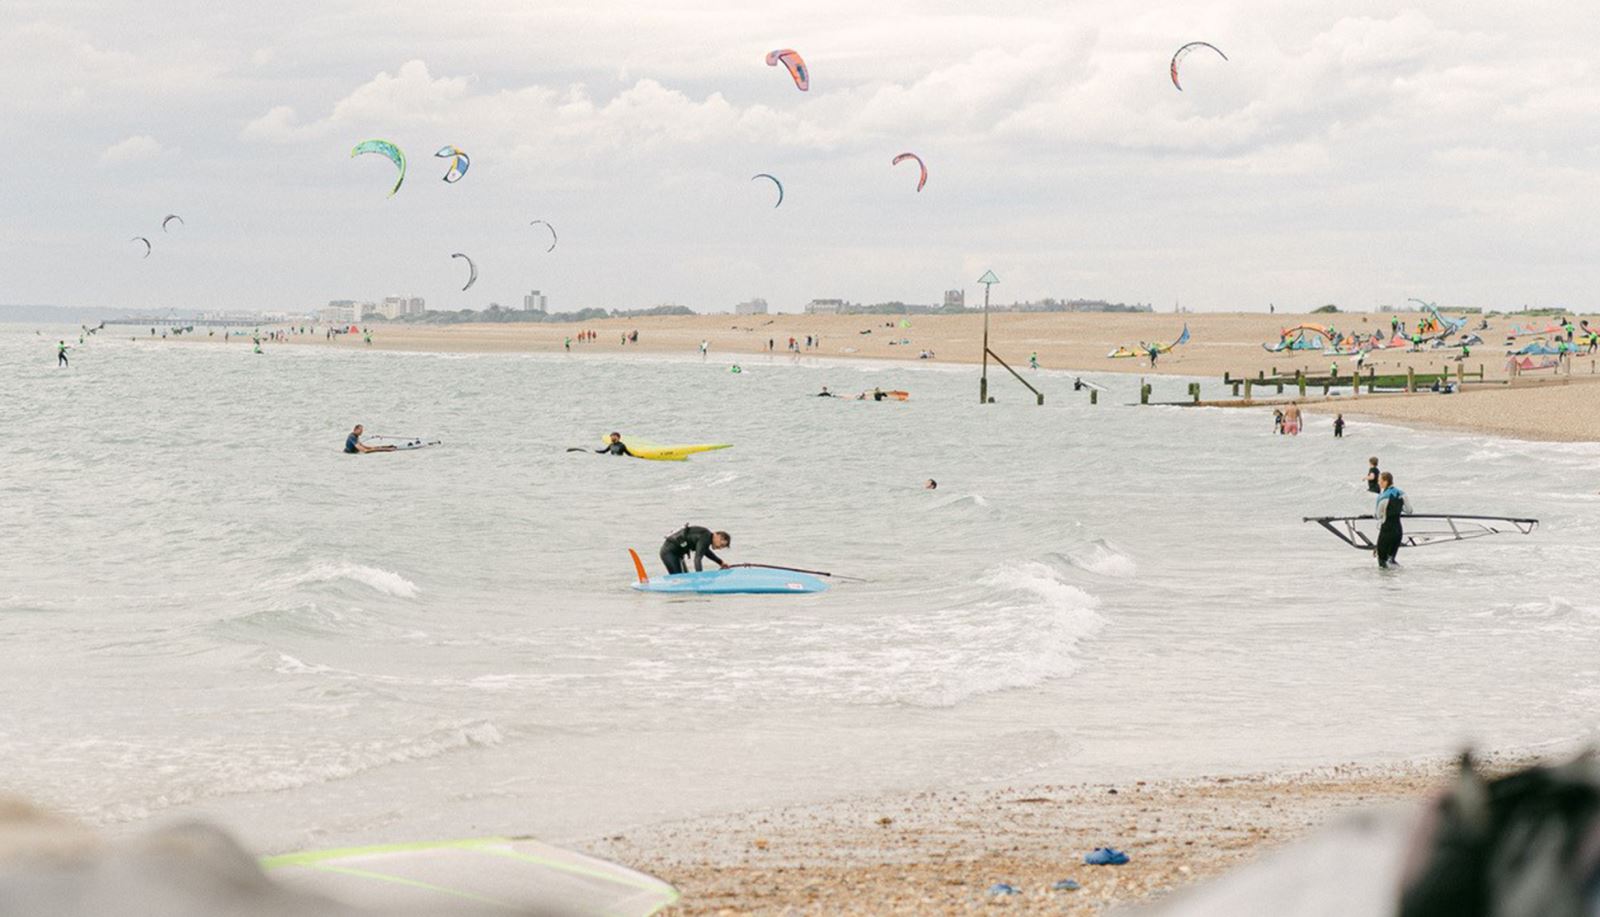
(943, 852)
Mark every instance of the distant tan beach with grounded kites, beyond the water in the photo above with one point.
(1537, 407)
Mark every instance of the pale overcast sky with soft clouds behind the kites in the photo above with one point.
(1350, 153)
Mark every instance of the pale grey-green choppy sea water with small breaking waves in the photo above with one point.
(210, 612)
